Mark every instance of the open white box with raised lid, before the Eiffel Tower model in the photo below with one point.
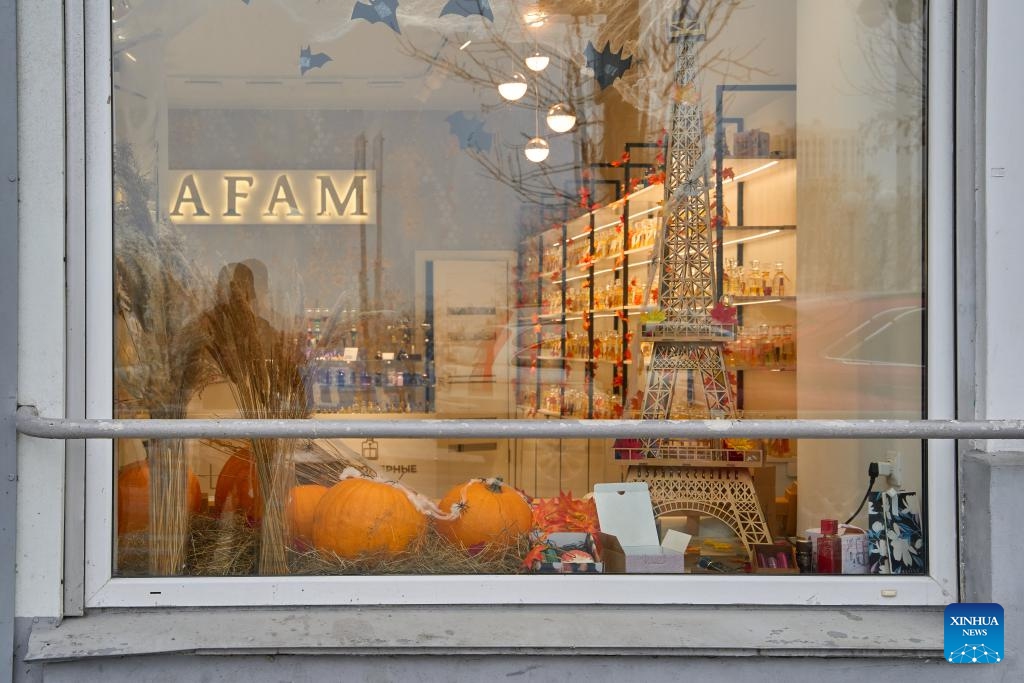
(629, 537)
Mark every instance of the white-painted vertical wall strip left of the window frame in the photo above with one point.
(41, 312)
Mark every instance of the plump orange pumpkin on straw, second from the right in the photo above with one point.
(364, 517)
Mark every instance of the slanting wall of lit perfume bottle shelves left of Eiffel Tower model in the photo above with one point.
(592, 281)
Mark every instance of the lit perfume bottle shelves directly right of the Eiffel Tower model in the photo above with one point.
(756, 234)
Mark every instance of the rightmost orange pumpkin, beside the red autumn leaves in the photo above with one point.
(490, 514)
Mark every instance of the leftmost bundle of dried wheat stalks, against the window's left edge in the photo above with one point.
(160, 344)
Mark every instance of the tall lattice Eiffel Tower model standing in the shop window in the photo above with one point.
(701, 477)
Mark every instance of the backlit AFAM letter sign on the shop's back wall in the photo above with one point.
(254, 198)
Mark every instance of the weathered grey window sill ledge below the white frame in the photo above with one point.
(666, 631)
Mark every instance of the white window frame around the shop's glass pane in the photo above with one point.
(940, 588)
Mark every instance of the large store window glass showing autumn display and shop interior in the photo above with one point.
(544, 210)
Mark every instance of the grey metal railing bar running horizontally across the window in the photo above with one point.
(30, 423)
